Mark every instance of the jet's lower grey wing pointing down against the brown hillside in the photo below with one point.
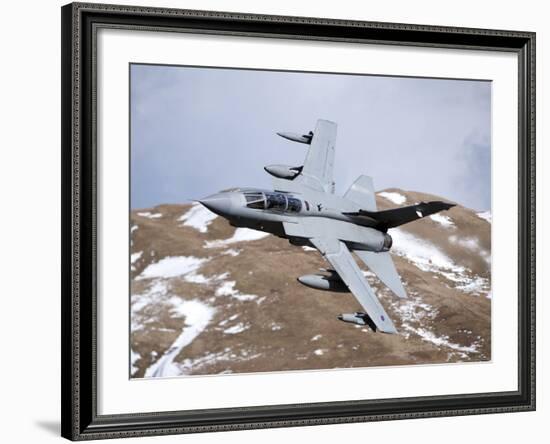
(338, 255)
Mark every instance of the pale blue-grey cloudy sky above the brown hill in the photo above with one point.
(195, 131)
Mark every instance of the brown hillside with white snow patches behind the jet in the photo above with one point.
(207, 298)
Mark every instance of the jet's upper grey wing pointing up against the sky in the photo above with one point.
(317, 171)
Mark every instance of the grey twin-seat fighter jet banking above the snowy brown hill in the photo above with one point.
(304, 209)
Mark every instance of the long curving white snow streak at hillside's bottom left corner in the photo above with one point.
(197, 317)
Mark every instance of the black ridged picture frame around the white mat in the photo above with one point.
(80, 419)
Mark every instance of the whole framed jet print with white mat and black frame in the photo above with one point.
(275, 221)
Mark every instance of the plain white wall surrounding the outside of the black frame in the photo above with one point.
(30, 220)
